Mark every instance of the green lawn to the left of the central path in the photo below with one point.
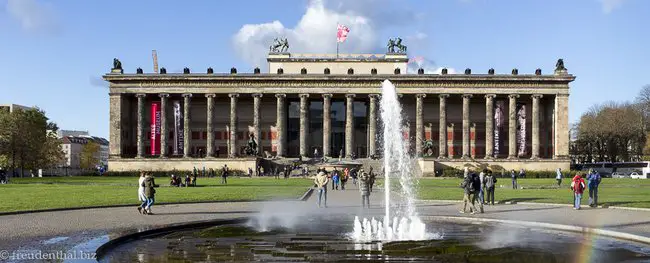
(24, 194)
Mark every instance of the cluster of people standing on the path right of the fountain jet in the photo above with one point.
(476, 188)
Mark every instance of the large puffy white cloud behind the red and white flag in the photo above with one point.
(316, 30)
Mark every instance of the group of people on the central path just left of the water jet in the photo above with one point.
(364, 179)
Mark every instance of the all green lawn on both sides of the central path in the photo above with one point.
(71, 192)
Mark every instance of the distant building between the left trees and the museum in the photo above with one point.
(72, 147)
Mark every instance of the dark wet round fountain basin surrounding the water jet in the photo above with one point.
(329, 239)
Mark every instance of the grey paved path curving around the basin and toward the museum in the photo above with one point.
(36, 230)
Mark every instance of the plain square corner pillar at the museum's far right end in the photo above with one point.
(561, 148)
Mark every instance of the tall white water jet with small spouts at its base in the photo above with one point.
(397, 163)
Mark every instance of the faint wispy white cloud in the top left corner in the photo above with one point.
(34, 16)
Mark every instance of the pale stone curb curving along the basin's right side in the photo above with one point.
(577, 229)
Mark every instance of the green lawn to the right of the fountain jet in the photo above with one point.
(615, 192)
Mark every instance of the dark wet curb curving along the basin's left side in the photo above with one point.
(113, 243)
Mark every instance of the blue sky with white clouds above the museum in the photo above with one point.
(53, 53)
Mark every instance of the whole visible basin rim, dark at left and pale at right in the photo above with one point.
(103, 249)
